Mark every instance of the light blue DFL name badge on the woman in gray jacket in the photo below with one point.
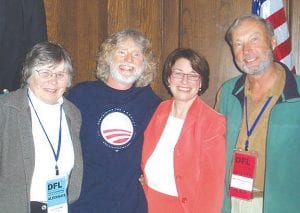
(57, 195)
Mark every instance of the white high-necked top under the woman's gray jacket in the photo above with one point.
(44, 168)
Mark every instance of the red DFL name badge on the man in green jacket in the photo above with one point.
(242, 177)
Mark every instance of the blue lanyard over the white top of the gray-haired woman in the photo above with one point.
(56, 155)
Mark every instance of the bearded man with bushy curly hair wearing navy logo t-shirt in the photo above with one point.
(115, 111)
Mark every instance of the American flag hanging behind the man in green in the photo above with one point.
(273, 11)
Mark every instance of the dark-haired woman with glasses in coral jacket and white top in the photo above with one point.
(183, 157)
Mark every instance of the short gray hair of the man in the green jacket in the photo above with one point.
(267, 25)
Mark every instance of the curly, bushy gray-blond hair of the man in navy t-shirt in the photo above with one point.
(109, 46)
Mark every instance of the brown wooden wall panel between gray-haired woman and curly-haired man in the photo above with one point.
(80, 26)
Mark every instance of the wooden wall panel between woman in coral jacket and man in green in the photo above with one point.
(204, 24)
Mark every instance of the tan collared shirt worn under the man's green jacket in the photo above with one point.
(257, 140)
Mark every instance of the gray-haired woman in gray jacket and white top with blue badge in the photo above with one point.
(40, 153)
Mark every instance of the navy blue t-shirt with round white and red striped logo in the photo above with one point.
(113, 124)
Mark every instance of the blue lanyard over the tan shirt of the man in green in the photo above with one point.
(250, 131)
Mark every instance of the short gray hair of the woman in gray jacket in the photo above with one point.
(45, 54)
